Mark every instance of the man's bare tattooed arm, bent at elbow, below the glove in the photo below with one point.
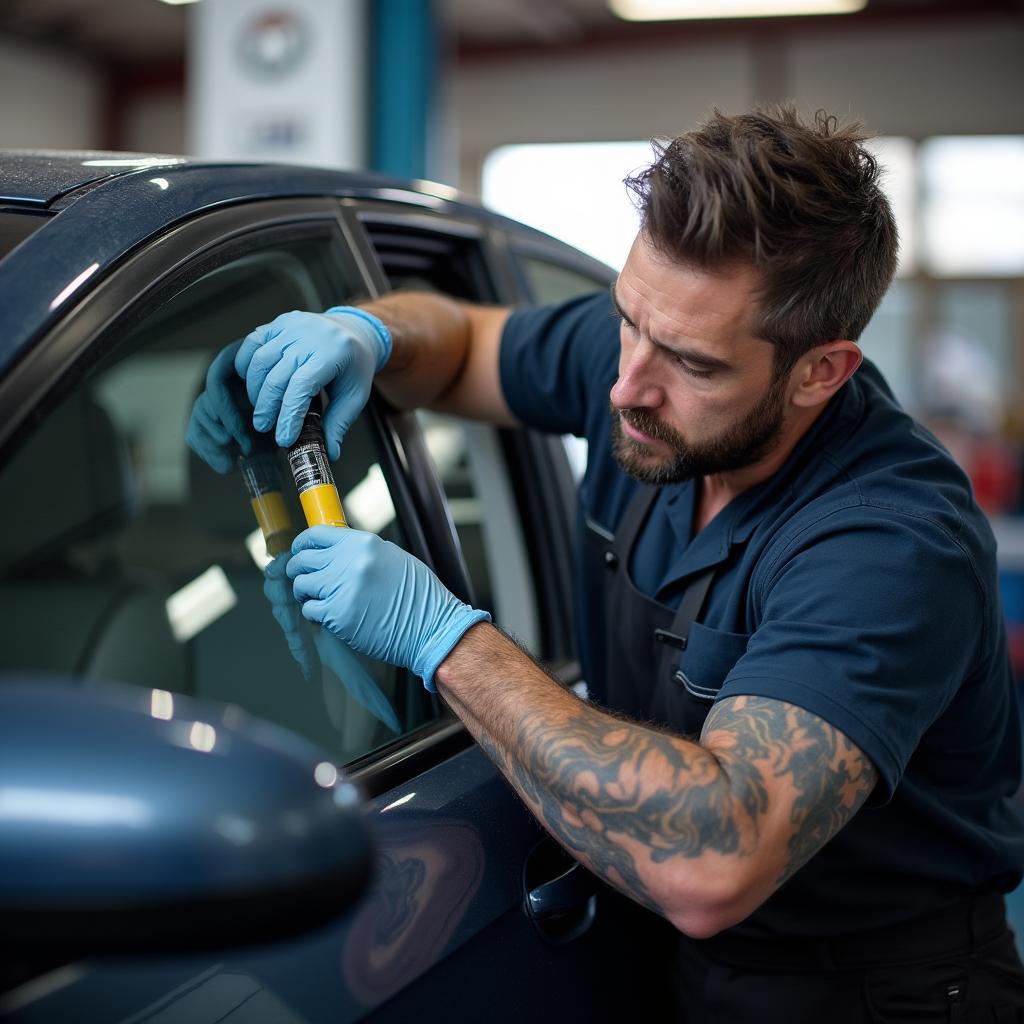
(700, 833)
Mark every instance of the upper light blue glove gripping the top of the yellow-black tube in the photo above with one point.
(286, 363)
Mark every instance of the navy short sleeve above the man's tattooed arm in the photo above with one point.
(871, 619)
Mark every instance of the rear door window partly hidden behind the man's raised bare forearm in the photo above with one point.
(468, 457)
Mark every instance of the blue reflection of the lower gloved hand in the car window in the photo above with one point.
(334, 655)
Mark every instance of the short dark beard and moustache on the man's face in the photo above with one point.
(740, 446)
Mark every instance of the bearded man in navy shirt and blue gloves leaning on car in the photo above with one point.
(788, 596)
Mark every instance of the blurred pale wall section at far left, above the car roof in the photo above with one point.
(49, 101)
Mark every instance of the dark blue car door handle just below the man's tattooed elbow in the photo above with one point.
(565, 907)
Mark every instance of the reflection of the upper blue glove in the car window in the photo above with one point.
(219, 423)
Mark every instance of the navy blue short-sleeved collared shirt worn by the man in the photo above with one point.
(859, 583)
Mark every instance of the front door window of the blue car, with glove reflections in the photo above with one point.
(125, 557)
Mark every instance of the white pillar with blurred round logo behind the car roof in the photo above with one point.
(279, 80)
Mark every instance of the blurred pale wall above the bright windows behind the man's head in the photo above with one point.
(911, 79)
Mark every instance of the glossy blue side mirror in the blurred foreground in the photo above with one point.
(139, 821)
